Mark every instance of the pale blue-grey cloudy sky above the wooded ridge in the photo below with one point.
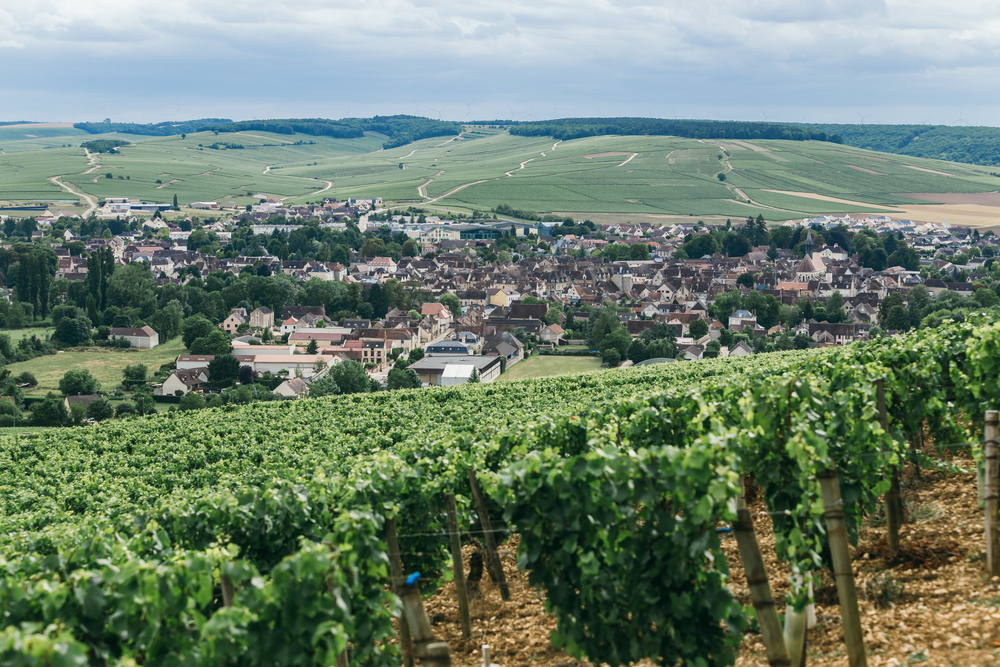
(831, 61)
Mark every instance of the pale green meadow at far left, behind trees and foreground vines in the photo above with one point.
(105, 364)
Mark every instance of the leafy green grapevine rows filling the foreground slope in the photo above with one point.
(270, 533)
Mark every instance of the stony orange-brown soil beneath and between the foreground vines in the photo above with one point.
(932, 605)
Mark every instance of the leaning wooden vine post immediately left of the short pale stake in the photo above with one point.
(760, 589)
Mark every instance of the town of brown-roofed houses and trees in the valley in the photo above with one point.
(416, 300)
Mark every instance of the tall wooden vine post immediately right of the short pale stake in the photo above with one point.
(836, 529)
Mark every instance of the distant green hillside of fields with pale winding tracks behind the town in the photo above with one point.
(597, 176)
